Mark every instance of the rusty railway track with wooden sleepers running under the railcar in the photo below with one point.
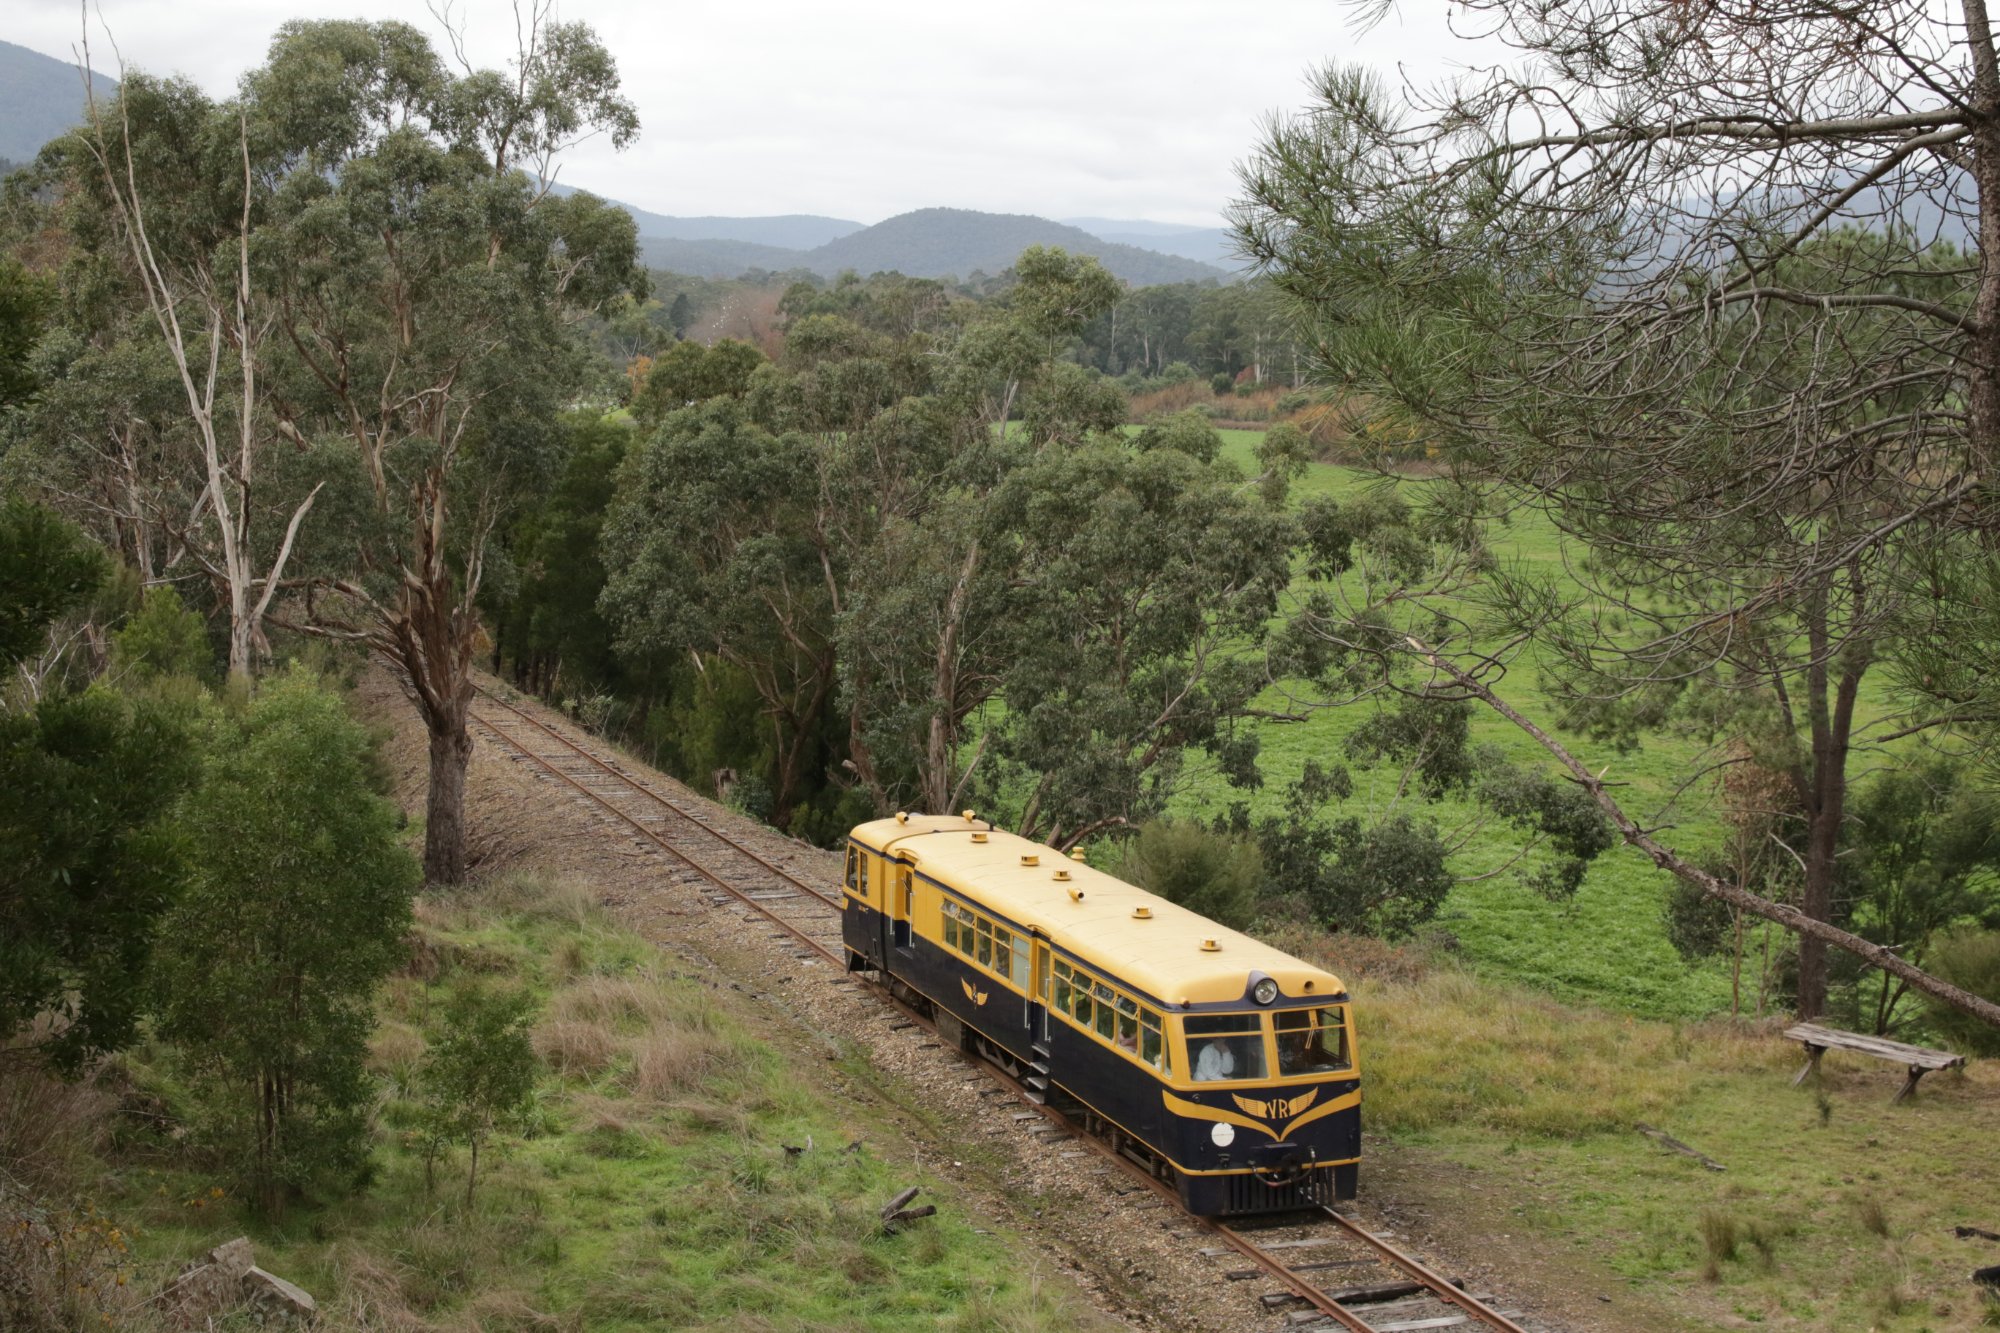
(1331, 1272)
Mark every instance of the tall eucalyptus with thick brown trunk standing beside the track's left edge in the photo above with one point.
(421, 285)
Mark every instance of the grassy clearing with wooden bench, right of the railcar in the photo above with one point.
(1515, 1116)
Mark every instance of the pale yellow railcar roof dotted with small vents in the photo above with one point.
(1161, 956)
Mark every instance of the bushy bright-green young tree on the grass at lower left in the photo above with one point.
(297, 910)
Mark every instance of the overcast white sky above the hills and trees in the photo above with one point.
(871, 109)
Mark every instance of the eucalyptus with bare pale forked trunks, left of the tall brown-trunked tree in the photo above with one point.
(159, 425)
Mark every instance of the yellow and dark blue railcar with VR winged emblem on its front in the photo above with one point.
(1221, 1062)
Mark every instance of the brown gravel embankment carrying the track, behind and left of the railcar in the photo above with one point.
(603, 818)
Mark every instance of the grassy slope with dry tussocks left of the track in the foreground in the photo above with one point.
(653, 1190)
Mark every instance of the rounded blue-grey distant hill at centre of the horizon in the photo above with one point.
(937, 243)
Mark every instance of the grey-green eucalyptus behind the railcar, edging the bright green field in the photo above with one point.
(1149, 577)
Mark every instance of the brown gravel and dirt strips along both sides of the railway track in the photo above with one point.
(1121, 1248)
